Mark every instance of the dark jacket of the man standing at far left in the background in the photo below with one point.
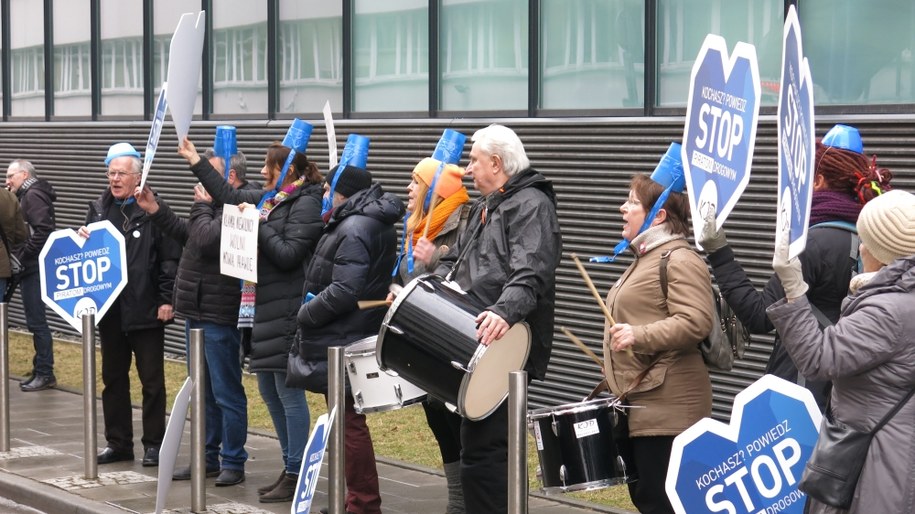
(36, 197)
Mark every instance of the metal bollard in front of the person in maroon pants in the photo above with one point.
(336, 389)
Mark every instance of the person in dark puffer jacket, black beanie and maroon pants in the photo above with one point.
(352, 262)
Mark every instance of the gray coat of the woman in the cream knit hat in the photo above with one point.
(869, 354)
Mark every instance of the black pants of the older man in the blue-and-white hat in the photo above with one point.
(118, 348)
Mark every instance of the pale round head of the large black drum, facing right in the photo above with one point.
(486, 386)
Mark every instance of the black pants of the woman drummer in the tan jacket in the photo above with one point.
(651, 456)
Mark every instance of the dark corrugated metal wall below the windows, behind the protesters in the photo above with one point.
(589, 160)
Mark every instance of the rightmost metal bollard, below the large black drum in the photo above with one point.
(517, 442)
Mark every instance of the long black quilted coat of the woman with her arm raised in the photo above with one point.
(286, 242)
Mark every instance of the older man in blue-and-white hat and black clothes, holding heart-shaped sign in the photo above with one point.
(134, 326)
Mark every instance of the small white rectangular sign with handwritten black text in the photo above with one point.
(238, 243)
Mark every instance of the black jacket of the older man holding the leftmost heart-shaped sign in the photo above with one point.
(152, 261)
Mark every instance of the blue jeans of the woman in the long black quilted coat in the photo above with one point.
(289, 411)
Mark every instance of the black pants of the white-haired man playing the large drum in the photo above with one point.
(484, 462)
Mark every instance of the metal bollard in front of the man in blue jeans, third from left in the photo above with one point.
(198, 442)
